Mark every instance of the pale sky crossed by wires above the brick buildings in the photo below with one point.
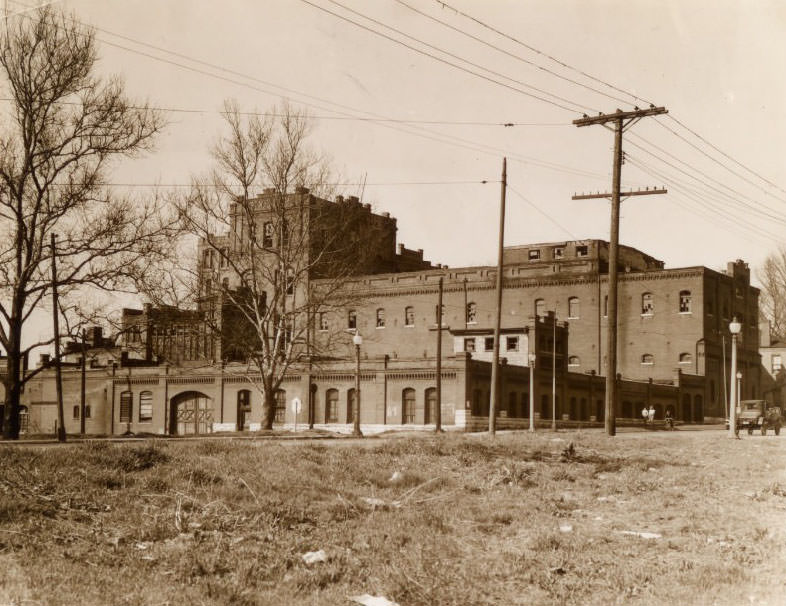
(717, 66)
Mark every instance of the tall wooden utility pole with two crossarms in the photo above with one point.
(622, 121)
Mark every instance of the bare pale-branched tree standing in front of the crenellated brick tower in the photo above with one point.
(272, 264)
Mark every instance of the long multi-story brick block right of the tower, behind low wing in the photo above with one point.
(670, 320)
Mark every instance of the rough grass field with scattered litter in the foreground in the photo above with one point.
(571, 518)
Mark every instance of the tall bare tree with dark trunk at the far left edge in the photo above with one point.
(57, 141)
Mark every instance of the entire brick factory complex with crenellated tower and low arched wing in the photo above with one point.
(674, 345)
